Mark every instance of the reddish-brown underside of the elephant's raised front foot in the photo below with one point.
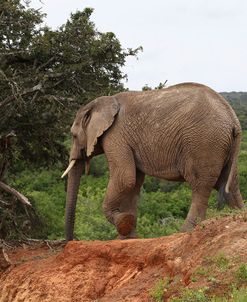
(125, 223)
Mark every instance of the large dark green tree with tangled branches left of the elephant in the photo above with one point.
(45, 75)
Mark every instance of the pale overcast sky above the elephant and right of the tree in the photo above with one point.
(183, 41)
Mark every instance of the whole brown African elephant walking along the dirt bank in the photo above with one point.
(186, 132)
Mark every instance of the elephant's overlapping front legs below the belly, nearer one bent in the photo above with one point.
(120, 204)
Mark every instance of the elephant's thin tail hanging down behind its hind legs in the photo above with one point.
(230, 168)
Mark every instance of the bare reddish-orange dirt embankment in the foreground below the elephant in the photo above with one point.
(127, 270)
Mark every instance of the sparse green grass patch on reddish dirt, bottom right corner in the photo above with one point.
(218, 272)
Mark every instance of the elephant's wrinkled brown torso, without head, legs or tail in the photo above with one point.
(169, 127)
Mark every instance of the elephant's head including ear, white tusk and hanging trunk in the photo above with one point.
(91, 121)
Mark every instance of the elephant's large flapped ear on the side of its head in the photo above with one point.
(102, 116)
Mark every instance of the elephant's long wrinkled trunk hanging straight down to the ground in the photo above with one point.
(72, 192)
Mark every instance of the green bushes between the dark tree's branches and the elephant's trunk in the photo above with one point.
(46, 191)
